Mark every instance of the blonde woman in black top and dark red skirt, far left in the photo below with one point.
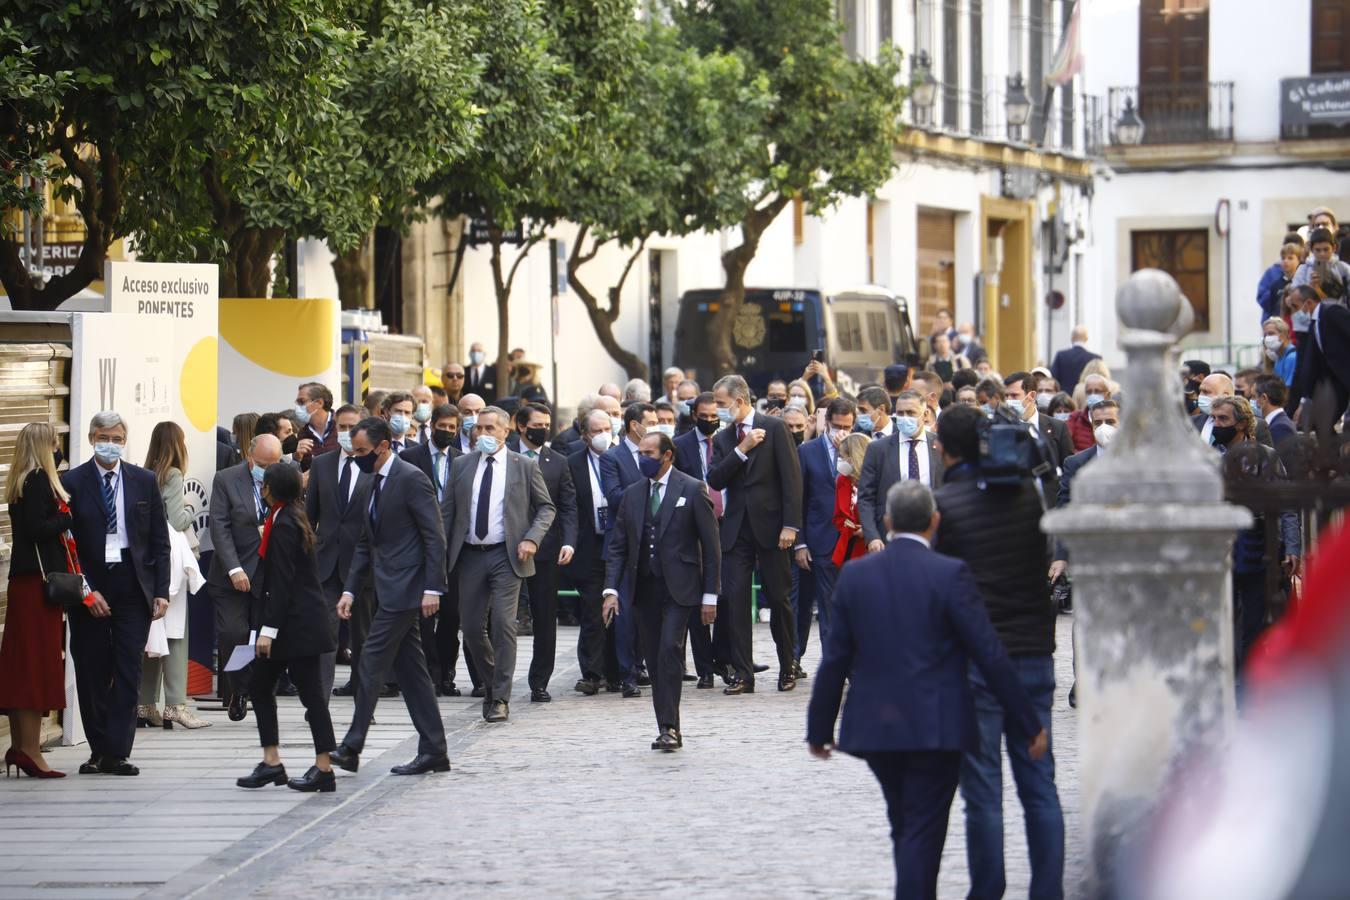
(33, 673)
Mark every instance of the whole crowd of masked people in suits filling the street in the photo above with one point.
(465, 516)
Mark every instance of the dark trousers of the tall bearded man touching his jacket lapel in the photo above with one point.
(735, 604)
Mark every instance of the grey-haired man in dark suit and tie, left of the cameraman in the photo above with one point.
(909, 455)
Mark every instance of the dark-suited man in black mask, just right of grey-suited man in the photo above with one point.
(558, 549)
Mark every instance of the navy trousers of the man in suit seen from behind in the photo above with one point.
(919, 787)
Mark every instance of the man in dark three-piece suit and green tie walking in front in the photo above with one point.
(666, 555)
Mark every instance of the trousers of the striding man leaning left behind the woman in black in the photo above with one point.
(395, 647)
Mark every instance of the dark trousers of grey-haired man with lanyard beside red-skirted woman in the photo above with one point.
(107, 654)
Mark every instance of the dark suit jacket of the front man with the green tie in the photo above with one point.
(686, 540)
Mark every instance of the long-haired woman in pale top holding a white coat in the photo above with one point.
(168, 459)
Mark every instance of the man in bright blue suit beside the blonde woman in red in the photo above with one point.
(815, 550)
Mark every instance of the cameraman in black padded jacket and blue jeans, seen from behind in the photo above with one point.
(997, 531)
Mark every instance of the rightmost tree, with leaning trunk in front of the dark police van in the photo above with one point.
(831, 134)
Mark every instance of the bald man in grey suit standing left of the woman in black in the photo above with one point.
(237, 517)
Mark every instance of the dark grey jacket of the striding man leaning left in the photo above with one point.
(406, 547)
